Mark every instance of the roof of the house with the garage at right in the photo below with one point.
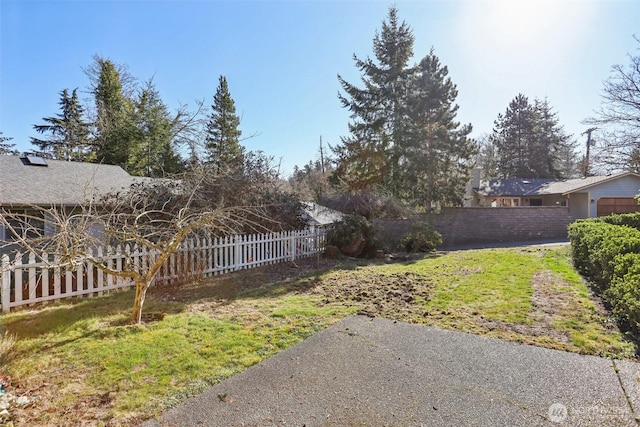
(537, 187)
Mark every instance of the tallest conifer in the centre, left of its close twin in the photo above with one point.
(370, 155)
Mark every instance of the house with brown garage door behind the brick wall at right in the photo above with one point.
(585, 197)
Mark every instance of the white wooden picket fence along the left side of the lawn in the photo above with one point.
(25, 281)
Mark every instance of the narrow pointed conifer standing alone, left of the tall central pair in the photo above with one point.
(222, 144)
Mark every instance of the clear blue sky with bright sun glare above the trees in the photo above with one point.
(281, 58)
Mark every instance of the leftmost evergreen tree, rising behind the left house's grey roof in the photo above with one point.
(68, 132)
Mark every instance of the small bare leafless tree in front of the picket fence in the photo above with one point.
(154, 215)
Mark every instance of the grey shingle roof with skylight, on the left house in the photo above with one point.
(58, 183)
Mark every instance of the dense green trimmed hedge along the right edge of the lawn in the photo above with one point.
(607, 251)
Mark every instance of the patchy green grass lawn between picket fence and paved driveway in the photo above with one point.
(80, 362)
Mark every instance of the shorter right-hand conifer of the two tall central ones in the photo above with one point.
(437, 155)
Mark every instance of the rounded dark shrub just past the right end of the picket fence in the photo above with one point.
(353, 236)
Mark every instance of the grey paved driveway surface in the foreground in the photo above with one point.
(377, 372)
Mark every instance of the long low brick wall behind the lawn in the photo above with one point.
(476, 225)
